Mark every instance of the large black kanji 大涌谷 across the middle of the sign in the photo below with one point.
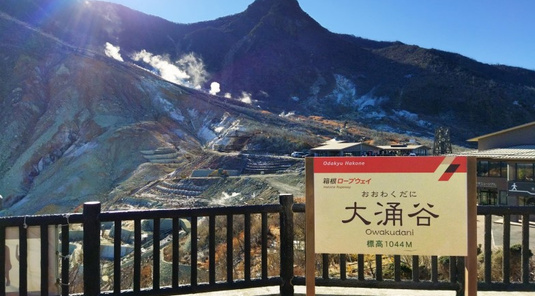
(392, 213)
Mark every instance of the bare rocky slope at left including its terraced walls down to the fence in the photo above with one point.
(80, 126)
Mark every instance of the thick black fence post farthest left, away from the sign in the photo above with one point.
(91, 248)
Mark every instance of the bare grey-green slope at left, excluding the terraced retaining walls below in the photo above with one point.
(78, 125)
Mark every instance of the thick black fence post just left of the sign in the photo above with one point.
(287, 244)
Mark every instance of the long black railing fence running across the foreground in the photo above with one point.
(229, 248)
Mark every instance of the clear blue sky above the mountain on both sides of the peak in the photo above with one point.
(489, 31)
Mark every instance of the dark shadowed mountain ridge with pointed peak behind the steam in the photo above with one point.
(288, 62)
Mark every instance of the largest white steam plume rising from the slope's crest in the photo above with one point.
(187, 71)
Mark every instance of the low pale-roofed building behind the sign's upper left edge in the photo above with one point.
(333, 148)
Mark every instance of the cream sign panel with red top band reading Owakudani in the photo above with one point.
(391, 205)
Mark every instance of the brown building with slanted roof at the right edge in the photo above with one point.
(506, 166)
